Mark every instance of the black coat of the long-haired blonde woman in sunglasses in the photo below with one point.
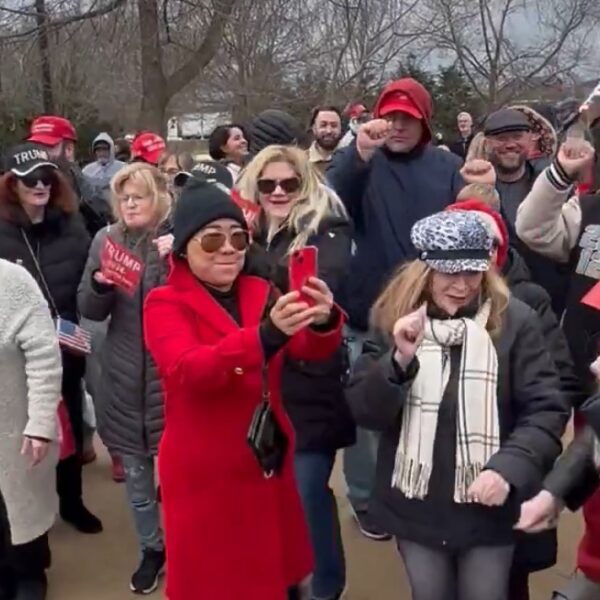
(313, 392)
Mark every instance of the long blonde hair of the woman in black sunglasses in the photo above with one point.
(315, 200)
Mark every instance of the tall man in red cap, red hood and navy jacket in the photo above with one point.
(389, 178)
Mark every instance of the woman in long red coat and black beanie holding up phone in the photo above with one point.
(231, 532)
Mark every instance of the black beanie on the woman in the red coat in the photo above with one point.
(199, 204)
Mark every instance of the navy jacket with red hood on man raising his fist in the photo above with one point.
(385, 197)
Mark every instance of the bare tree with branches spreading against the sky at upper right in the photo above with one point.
(504, 47)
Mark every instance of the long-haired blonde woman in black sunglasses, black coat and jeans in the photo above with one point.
(298, 211)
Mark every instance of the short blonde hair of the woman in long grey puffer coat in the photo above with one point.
(151, 182)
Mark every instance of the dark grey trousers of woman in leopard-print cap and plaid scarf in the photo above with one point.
(476, 574)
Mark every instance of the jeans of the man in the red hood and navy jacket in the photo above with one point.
(360, 460)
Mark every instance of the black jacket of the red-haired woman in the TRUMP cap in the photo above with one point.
(60, 244)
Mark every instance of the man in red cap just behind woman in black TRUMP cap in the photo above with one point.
(59, 137)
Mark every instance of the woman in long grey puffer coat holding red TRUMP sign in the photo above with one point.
(129, 401)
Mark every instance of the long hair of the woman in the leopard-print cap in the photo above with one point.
(409, 288)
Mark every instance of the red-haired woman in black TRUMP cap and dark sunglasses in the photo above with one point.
(41, 229)
